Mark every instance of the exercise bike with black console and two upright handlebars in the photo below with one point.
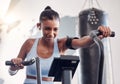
(68, 64)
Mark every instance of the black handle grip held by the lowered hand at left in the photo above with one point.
(25, 63)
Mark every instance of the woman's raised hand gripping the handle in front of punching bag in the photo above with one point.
(105, 31)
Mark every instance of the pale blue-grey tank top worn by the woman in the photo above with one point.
(45, 63)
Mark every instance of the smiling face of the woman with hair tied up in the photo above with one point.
(50, 29)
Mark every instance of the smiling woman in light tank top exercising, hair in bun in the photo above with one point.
(49, 46)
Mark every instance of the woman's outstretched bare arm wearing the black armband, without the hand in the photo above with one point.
(74, 43)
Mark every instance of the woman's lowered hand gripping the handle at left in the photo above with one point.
(18, 64)
